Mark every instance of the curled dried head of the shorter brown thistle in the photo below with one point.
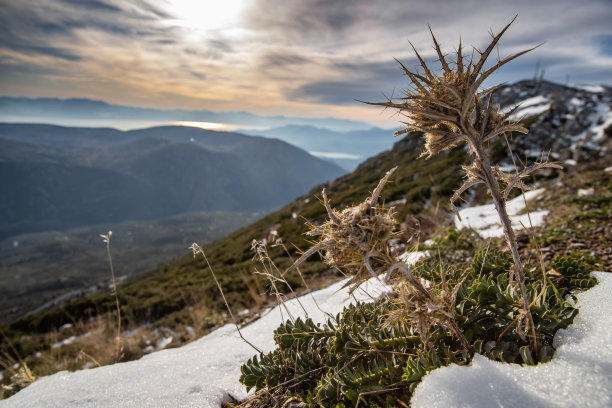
(356, 240)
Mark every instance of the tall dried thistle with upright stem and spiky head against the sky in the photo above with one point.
(450, 108)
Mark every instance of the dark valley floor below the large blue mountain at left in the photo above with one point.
(46, 269)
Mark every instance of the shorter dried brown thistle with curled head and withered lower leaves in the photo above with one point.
(358, 242)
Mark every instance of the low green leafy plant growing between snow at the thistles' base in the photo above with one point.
(358, 357)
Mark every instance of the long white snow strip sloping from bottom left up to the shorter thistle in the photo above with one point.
(200, 374)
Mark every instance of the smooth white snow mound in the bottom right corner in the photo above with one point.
(580, 374)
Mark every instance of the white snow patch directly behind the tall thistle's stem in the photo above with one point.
(485, 220)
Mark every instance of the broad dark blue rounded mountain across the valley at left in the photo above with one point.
(54, 177)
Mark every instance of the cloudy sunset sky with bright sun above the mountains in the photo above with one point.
(309, 58)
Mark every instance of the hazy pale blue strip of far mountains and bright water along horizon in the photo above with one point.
(54, 110)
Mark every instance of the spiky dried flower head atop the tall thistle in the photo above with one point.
(448, 106)
